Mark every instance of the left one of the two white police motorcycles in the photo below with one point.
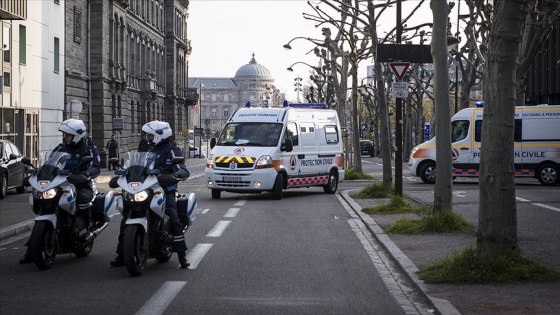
(59, 227)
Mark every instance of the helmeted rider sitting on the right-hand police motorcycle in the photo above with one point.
(161, 144)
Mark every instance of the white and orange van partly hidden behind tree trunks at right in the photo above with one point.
(537, 145)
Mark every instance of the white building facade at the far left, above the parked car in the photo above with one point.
(32, 80)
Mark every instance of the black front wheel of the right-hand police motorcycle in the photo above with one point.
(135, 249)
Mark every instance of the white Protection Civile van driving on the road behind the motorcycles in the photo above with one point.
(277, 148)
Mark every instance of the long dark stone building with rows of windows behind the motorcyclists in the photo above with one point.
(126, 63)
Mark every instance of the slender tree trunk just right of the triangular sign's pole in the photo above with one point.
(443, 188)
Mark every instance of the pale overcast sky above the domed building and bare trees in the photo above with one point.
(225, 33)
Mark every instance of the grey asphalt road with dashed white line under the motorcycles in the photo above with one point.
(305, 254)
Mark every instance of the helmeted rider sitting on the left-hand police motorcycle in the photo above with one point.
(76, 143)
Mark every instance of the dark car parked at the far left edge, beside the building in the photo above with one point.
(12, 170)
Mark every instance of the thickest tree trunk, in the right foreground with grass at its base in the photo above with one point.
(497, 224)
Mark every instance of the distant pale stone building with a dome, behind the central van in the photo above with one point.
(220, 97)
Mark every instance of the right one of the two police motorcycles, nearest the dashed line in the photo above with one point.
(147, 231)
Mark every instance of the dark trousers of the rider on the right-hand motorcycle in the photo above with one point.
(178, 244)
